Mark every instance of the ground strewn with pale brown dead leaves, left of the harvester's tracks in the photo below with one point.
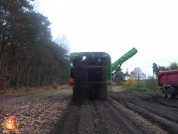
(38, 115)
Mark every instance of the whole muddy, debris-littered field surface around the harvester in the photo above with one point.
(123, 113)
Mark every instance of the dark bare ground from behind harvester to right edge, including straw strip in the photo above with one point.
(123, 113)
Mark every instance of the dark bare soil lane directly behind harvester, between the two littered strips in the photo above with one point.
(96, 117)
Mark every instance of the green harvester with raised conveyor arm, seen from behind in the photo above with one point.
(90, 74)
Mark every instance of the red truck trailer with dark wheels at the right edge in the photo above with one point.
(168, 81)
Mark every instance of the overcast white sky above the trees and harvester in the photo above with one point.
(116, 26)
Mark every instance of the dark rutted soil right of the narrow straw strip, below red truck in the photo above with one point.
(152, 107)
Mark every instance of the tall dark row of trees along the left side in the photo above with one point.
(28, 55)
